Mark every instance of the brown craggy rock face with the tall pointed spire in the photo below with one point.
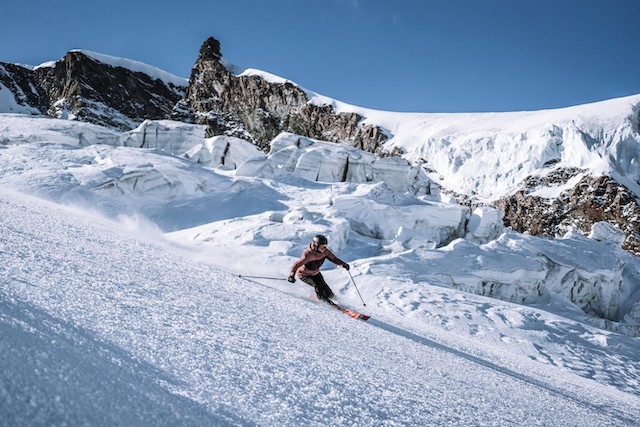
(252, 108)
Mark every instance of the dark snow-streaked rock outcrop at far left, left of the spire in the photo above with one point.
(86, 89)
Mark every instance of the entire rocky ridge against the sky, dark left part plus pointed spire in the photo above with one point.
(83, 87)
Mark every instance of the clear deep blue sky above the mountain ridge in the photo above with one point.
(400, 55)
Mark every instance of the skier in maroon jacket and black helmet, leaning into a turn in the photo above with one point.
(307, 268)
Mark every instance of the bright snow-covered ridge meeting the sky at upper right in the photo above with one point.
(488, 155)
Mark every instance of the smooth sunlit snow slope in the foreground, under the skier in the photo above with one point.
(101, 327)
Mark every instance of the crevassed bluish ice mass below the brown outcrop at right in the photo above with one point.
(540, 271)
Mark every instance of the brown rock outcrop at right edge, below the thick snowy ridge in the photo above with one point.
(591, 200)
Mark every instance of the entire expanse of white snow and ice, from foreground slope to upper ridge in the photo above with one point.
(143, 280)
